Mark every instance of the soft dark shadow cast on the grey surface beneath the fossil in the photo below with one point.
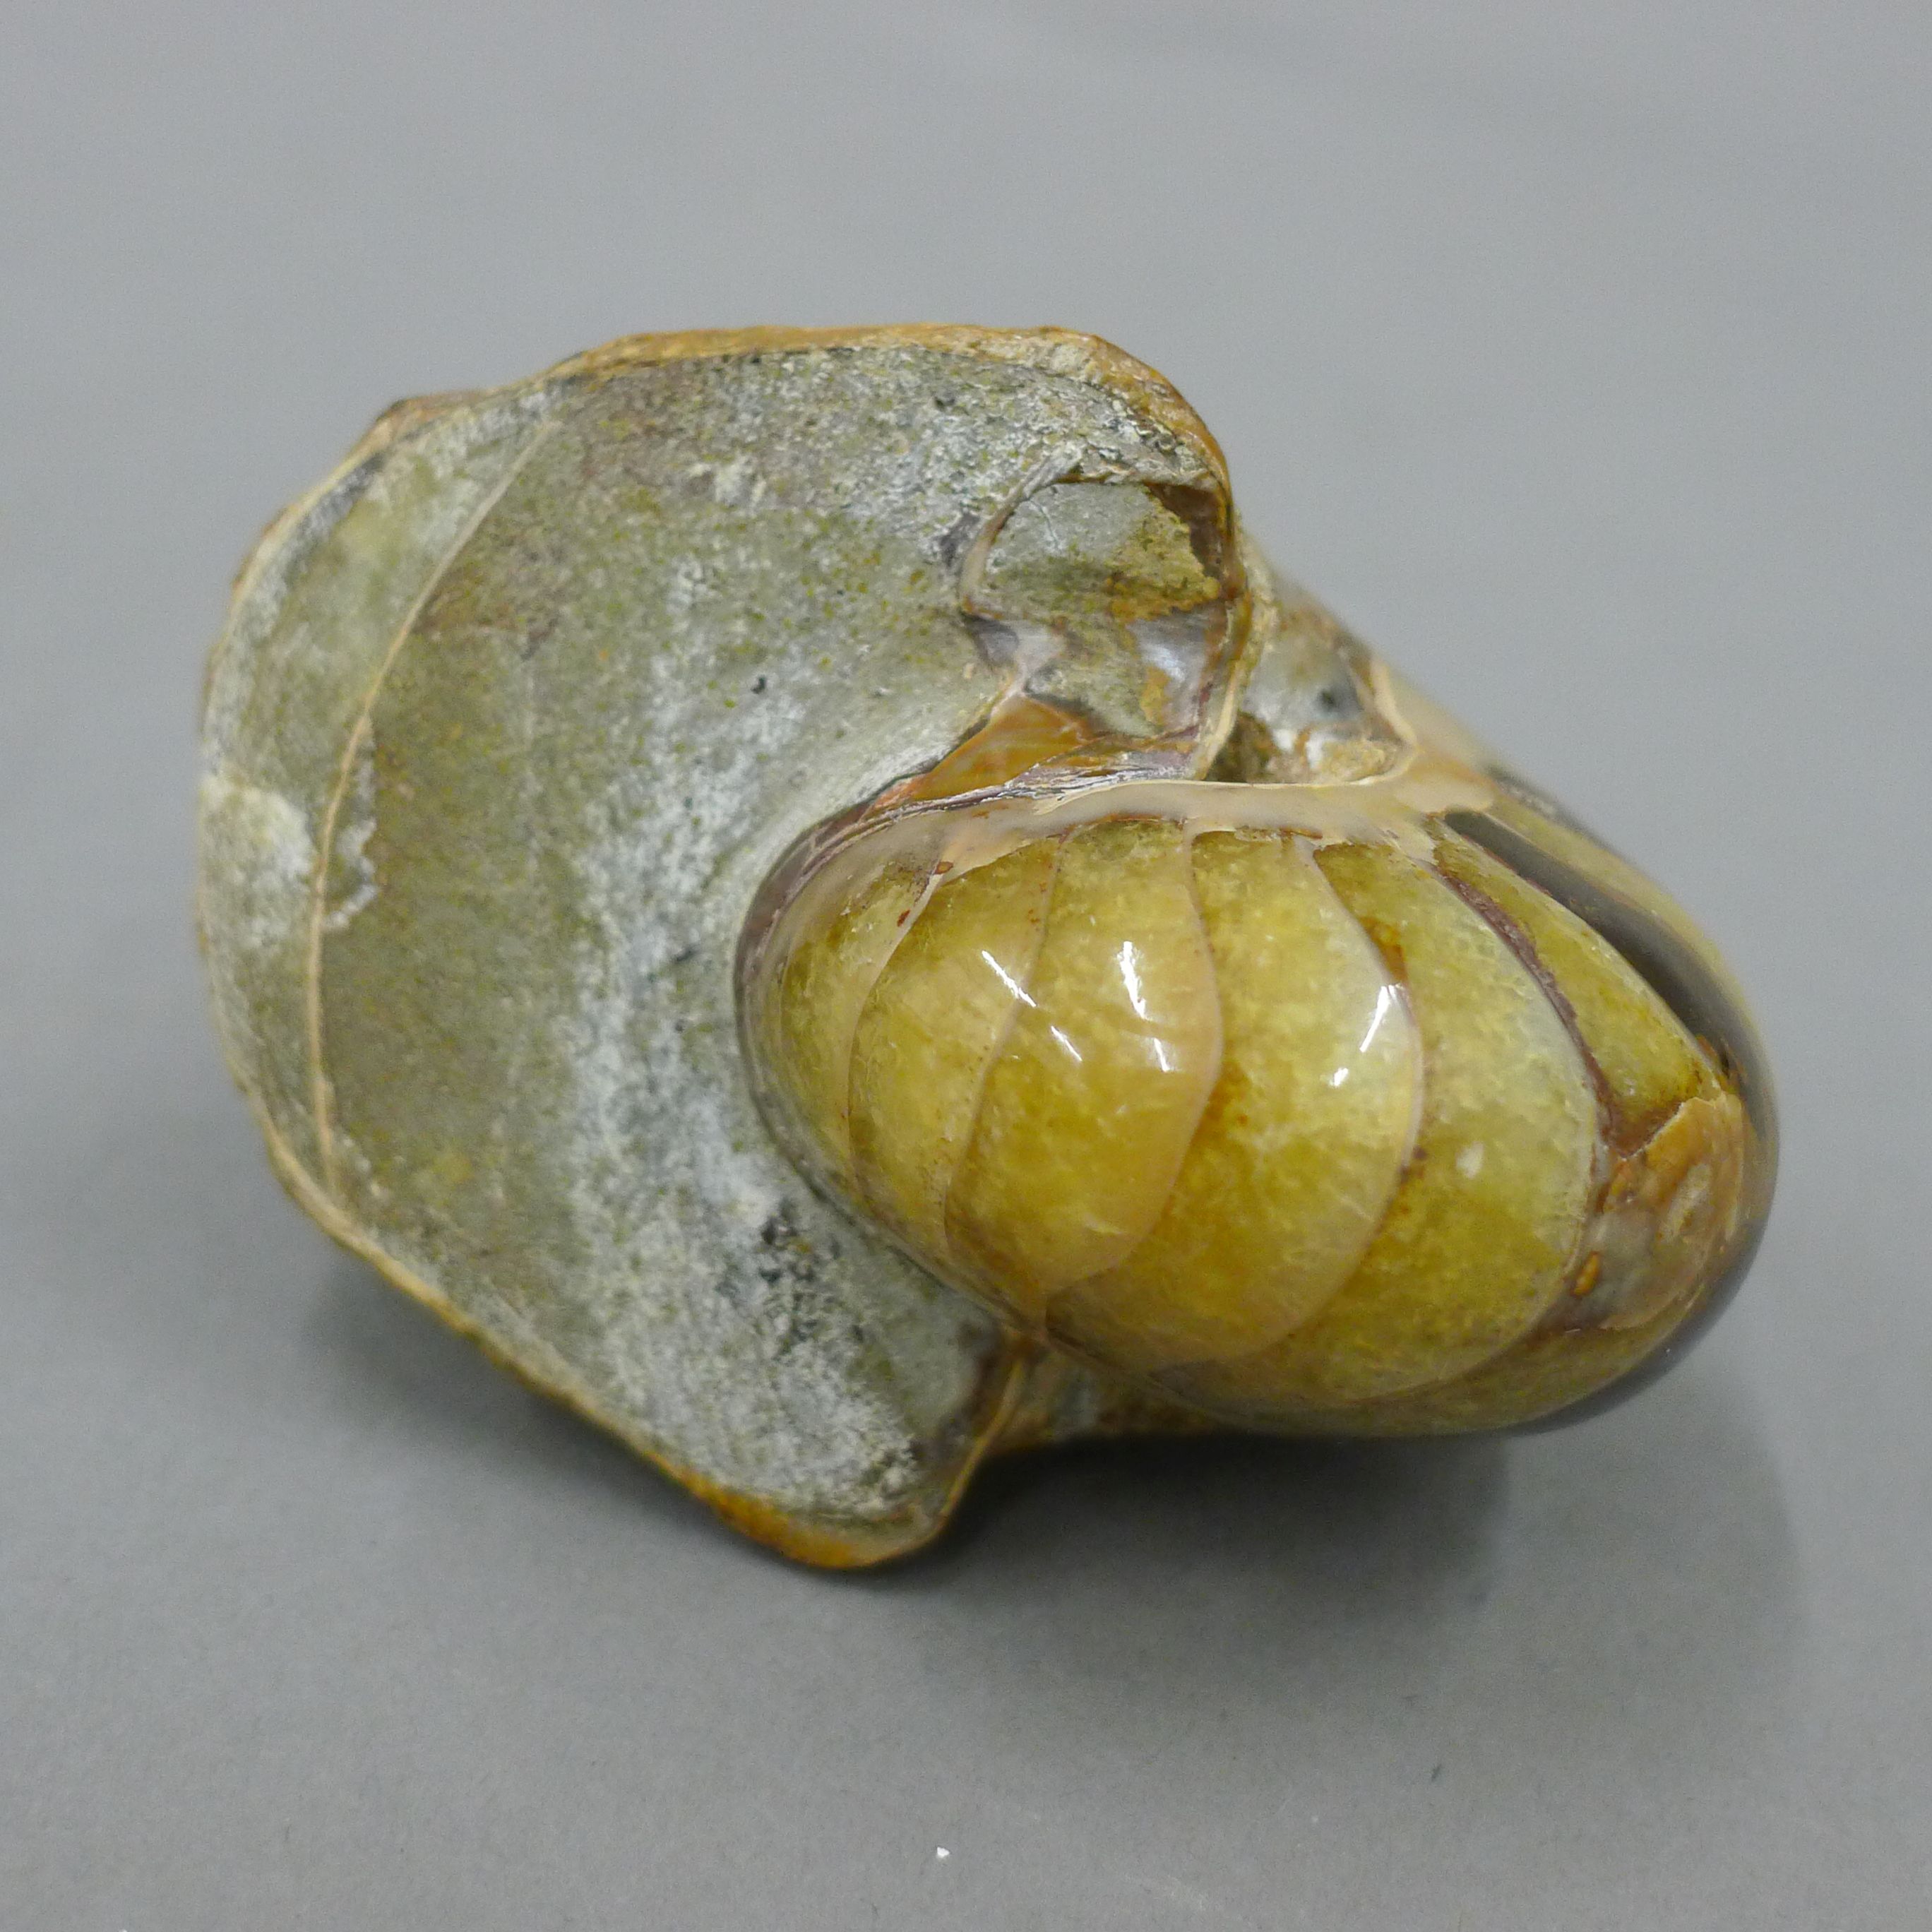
(1624, 1587)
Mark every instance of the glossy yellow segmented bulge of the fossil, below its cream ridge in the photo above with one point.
(1307, 1135)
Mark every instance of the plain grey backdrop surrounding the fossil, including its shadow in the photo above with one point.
(1577, 356)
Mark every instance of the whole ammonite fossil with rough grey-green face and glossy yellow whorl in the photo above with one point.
(816, 894)
